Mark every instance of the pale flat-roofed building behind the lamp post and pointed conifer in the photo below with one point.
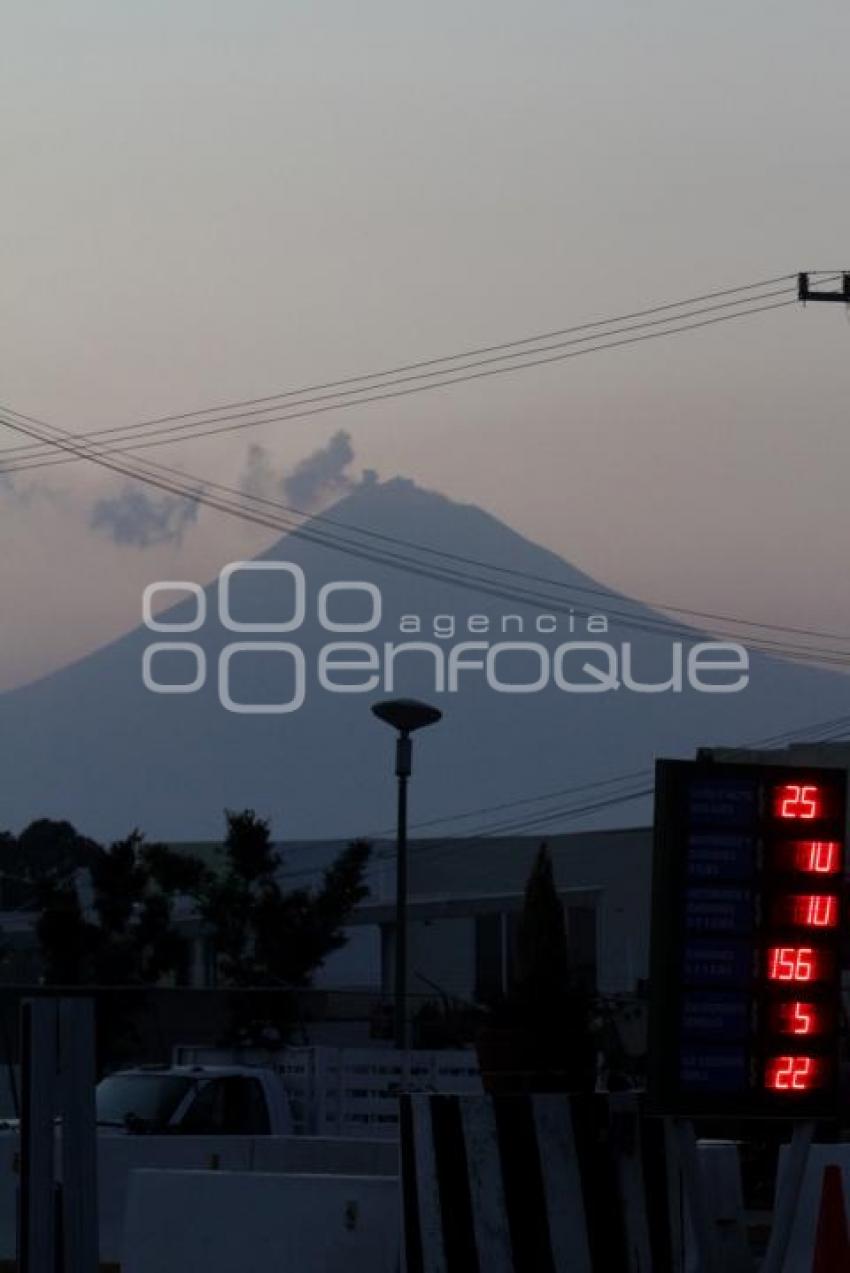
(465, 897)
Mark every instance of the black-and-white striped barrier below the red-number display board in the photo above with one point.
(573, 1182)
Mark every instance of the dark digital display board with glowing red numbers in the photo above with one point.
(749, 906)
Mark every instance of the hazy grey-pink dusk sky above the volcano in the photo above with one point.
(206, 203)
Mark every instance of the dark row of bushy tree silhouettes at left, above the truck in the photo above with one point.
(110, 915)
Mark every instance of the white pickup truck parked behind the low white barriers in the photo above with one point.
(194, 1101)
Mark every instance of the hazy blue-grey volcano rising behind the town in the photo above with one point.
(94, 745)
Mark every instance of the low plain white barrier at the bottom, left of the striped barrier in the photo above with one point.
(222, 1223)
